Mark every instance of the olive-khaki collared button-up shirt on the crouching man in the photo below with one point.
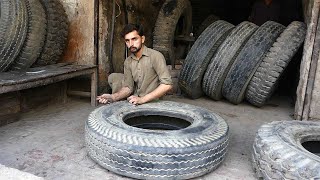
(144, 75)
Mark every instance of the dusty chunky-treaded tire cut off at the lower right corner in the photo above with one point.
(278, 152)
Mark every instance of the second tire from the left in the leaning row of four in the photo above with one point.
(223, 59)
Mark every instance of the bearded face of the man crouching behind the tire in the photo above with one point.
(134, 41)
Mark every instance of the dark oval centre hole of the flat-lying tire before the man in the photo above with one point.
(156, 122)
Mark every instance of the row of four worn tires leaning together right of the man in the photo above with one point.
(240, 62)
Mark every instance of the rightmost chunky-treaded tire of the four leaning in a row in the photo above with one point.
(264, 81)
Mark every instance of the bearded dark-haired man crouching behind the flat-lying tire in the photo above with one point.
(145, 73)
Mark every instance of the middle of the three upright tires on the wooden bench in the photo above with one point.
(34, 41)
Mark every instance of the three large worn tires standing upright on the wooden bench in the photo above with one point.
(32, 33)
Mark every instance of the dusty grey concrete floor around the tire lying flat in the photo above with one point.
(49, 142)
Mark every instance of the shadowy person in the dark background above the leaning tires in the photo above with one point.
(265, 10)
